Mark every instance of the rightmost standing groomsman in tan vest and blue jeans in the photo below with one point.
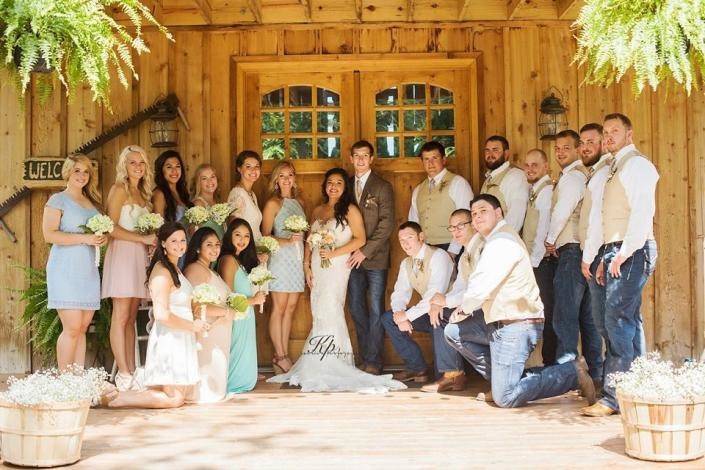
(628, 208)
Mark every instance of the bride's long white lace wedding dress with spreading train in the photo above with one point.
(326, 363)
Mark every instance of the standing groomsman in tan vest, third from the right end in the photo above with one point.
(572, 316)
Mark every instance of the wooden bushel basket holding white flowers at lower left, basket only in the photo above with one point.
(42, 435)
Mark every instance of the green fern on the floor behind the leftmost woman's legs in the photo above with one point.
(43, 323)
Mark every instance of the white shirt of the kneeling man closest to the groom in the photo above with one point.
(441, 268)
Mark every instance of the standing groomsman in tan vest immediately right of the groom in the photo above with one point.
(437, 197)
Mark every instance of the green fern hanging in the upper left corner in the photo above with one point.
(76, 40)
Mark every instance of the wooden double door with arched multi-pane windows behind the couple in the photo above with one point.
(312, 111)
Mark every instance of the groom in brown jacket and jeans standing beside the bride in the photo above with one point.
(368, 278)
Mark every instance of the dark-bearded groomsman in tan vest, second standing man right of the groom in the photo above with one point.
(505, 182)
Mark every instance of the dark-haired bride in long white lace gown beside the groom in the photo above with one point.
(326, 363)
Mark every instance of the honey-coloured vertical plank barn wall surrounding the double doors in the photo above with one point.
(520, 61)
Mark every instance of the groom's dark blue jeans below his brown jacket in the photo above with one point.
(366, 290)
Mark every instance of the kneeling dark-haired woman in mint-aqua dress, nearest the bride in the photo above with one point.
(238, 257)
